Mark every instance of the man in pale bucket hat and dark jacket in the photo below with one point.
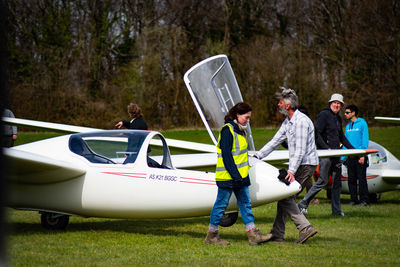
(329, 135)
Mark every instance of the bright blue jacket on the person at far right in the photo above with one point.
(357, 133)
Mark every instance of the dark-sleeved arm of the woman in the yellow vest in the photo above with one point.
(226, 150)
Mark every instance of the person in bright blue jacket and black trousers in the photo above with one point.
(357, 134)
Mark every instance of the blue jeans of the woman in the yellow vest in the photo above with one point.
(243, 200)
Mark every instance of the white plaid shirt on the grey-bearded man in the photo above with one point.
(299, 133)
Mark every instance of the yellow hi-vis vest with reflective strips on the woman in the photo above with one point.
(239, 154)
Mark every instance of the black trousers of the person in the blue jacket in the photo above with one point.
(357, 173)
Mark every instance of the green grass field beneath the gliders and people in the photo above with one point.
(371, 236)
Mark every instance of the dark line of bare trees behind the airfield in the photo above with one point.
(82, 61)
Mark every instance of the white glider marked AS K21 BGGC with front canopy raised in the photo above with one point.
(131, 174)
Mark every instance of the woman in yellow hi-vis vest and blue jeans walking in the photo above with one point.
(232, 175)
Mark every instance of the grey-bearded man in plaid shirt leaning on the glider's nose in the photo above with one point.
(298, 130)
